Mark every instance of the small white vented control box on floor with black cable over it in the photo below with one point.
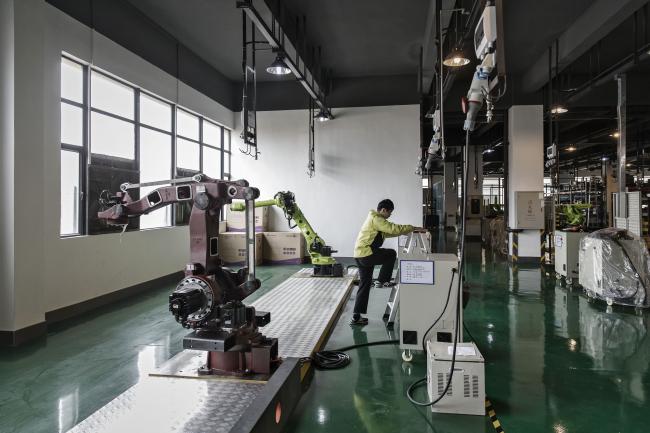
(466, 393)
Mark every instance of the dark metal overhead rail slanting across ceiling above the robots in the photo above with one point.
(306, 78)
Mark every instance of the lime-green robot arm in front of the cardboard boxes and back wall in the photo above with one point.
(320, 253)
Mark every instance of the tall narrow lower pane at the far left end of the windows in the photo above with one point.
(69, 192)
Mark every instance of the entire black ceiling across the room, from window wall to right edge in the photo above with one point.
(372, 48)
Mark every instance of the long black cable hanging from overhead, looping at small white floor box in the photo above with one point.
(418, 382)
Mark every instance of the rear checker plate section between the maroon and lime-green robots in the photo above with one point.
(301, 311)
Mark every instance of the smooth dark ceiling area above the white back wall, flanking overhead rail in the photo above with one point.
(358, 38)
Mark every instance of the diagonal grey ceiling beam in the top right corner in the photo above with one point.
(594, 24)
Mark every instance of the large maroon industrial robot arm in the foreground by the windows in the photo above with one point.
(209, 298)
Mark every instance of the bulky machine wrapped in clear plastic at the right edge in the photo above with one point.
(615, 267)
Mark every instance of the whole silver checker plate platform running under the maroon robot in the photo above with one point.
(176, 399)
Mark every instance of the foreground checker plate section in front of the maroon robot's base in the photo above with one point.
(166, 405)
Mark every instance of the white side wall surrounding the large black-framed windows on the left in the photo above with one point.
(40, 271)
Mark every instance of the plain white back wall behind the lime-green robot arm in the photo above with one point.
(362, 156)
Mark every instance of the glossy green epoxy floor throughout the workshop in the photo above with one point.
(556, 362)
